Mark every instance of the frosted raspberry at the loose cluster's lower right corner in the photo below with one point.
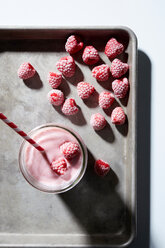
(118, 116)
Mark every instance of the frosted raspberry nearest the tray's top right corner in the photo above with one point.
(113, 48)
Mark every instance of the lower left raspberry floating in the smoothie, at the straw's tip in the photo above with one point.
(59, 166)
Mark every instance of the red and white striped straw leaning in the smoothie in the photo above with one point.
(21, 133)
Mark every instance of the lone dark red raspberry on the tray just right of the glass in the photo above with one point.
(101, 167)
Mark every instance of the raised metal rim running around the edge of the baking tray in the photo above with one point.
(132, 35)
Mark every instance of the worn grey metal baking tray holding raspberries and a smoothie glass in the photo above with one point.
(98, 211)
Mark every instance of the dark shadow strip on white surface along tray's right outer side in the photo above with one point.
(143, 151)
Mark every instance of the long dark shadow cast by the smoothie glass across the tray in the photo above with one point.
(97, 205)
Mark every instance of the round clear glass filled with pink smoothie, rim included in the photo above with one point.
(37, 168)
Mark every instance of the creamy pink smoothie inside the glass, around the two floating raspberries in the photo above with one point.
(51, 138)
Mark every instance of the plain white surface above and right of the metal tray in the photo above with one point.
(147, 19)
